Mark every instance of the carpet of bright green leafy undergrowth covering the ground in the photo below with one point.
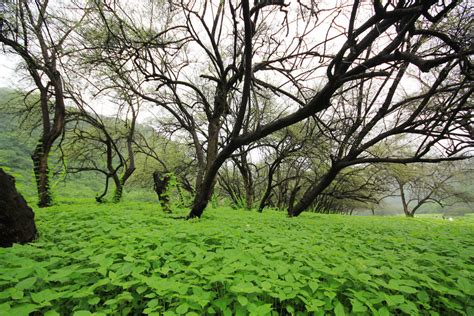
(131, 259)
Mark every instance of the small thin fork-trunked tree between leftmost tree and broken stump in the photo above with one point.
(103, 144)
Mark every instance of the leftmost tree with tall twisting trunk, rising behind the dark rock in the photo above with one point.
(32, 31)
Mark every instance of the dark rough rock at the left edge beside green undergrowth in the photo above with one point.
(17, 220)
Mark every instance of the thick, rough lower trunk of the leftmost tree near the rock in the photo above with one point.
(41, 171)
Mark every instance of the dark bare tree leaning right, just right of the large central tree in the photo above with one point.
(364, 131)
